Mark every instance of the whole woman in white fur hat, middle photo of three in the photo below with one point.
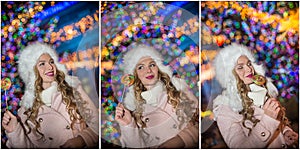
(158, 108)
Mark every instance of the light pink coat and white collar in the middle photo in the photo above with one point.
(161, 121)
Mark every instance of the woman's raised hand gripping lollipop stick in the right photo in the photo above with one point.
(272, 108)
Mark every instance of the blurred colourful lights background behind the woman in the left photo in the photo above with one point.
(72, 28)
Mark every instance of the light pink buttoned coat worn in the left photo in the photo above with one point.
(55, 125)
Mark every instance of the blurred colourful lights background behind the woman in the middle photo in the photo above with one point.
(170, 27)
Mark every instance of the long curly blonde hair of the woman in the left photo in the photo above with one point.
(70, 96)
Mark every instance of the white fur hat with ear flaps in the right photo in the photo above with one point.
(224, 63)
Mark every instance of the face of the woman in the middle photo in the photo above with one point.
(147, 72)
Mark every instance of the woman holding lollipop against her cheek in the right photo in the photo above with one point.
(247, 112)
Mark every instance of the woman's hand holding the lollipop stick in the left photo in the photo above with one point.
(9, 121)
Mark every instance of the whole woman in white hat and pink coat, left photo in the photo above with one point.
(55, 110)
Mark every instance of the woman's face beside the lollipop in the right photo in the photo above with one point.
(244, 69)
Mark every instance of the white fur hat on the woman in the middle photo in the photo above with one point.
(132, 57)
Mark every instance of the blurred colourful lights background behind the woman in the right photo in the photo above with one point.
(271, 31)
